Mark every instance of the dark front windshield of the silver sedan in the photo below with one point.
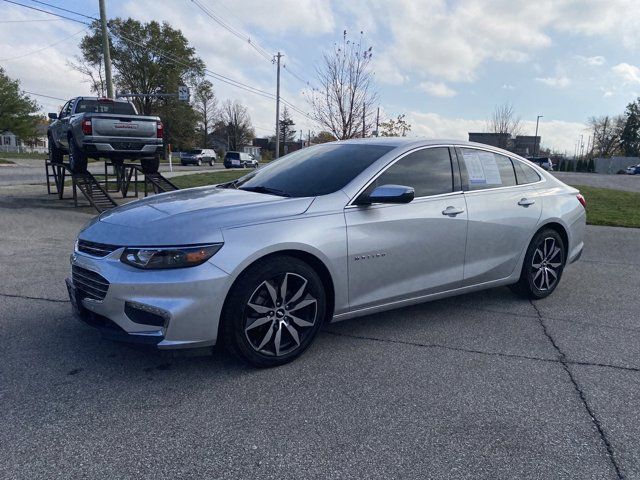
(313, 171)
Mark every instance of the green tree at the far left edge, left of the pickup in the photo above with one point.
(18, 112)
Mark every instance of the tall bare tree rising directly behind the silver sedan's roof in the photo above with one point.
(345, 94)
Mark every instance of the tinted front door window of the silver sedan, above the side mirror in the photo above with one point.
(428, 171)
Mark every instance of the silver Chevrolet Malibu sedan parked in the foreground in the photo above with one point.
(323, 234)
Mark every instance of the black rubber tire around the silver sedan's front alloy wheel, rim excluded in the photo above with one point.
(243, 289)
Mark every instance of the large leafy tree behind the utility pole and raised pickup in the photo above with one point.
(147, 58)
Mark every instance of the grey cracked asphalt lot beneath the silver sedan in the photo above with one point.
(481, 386)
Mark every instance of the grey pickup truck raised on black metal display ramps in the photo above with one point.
(90, 127)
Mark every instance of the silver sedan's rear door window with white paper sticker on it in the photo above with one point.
(487, 169)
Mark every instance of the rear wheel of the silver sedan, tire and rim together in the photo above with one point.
(544, 260)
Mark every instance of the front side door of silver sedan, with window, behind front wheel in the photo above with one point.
(398, 252)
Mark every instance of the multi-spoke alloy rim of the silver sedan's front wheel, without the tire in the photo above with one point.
(280, 314)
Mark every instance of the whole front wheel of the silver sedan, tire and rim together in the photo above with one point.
(279, 336)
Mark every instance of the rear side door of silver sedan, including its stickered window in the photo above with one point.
(502, 214)
